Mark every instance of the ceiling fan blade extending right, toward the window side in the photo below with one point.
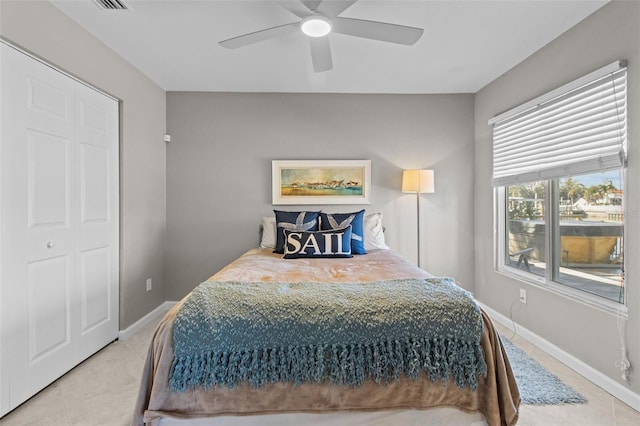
(381, 31)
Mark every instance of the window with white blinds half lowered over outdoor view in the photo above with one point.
(558, 173)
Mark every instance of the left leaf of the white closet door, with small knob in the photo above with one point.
(38, 248)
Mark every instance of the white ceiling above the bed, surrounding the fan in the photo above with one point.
(465, 45)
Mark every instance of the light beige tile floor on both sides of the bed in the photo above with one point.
(102, 390)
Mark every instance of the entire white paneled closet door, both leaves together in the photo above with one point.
(59, 183)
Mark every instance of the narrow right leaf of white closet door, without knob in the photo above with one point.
(97, 189)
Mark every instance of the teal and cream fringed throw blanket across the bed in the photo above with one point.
(229, 332)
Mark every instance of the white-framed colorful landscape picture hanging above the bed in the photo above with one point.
(321, 181)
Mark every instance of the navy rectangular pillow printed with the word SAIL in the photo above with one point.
(333, 243)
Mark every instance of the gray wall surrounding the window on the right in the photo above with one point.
(589, 334)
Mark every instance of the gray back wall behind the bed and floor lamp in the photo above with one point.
(219, 171)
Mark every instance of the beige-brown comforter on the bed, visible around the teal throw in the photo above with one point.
(497, 396)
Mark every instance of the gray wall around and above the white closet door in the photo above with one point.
(42, 29)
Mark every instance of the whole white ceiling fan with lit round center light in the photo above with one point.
(319, 18)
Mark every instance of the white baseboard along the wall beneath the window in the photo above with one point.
(616, 389)
